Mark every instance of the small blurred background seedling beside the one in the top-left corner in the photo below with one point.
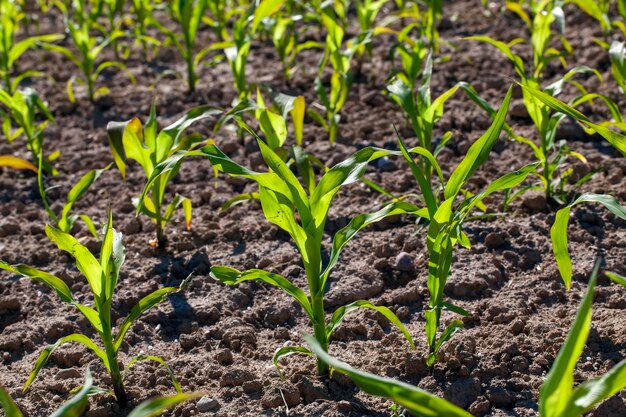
(88, 49)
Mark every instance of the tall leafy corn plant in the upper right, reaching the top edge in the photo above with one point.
(551, 153)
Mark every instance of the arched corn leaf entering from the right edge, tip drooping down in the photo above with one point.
(558, 232)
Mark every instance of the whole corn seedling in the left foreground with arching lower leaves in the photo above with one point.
(102, 276)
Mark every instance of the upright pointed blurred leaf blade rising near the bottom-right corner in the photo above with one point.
(555, 395)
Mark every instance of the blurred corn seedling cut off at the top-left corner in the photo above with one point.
(11, 51)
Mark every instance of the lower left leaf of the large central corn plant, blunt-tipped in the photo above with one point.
(231, 276)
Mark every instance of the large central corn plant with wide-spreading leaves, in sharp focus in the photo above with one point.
(302, 215)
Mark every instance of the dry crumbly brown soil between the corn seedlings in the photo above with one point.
(220, 340)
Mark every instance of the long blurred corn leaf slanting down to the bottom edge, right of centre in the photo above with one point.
(413, 399)
